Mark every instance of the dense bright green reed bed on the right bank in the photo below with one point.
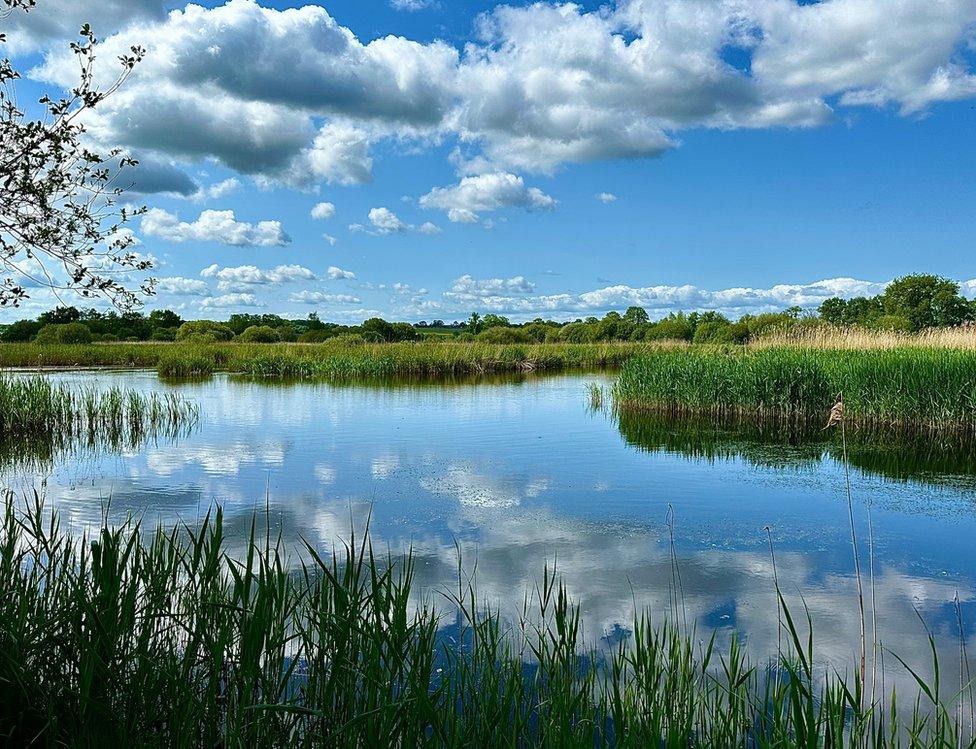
(908, 386)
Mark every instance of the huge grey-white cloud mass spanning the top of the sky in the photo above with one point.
(292, 96)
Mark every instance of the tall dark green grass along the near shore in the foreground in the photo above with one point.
(124, 638)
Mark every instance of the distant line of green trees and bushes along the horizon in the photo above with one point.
(909, 304)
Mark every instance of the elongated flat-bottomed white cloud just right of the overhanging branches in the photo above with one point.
(214, 226)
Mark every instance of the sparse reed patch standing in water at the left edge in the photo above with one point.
(34, 407)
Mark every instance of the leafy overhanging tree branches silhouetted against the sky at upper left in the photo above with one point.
(60, 227)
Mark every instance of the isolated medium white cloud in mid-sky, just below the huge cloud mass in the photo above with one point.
(486, 192)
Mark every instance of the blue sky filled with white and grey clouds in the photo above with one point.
(423, 159)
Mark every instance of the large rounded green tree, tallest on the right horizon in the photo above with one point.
(927, 301)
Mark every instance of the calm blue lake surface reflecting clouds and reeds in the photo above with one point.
(521, 472)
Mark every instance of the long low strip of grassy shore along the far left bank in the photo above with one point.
(326, 360)
